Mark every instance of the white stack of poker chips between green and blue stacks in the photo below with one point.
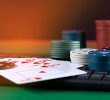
(80, 56)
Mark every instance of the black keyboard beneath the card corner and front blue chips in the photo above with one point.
(91, 80)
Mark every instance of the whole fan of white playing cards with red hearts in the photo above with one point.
(30, 70)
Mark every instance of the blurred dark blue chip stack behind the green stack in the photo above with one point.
(75, 35)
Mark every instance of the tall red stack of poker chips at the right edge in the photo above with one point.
(102, 33)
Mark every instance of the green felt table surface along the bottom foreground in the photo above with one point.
(28, 93)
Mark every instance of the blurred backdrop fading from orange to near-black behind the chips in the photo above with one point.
(45, 19)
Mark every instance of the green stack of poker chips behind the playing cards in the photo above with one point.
(60, 49)
